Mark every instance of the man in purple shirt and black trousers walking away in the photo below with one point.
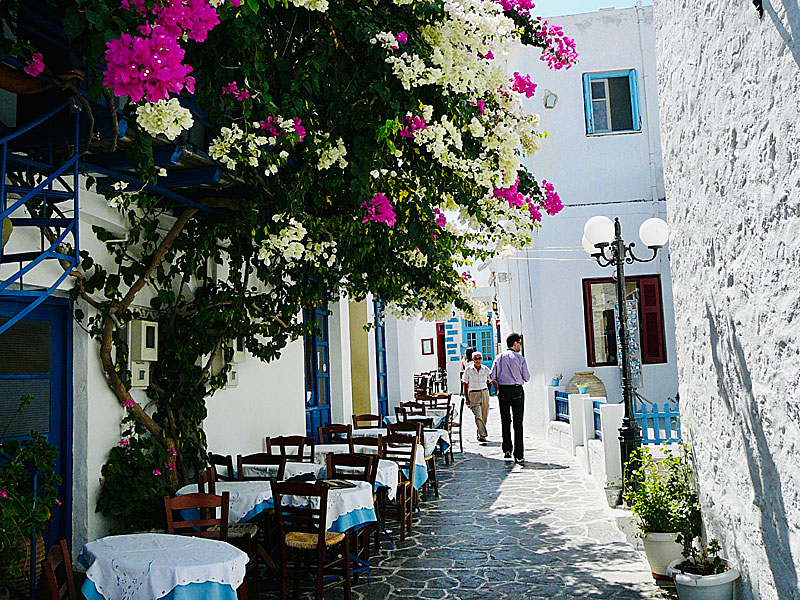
(509, 372)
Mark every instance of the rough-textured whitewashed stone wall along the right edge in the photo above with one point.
(729, 99)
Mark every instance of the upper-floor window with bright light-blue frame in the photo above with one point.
(612, 102)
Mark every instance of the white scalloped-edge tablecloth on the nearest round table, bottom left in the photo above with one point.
(144, 566)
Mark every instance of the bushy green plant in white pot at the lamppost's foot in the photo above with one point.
(662, 496)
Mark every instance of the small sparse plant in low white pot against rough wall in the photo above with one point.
(701, 574)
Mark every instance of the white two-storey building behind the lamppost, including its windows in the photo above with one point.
(603, 155)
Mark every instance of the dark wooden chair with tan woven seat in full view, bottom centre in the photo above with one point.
(302, 534)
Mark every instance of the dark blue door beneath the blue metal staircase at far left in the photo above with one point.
(36, 361)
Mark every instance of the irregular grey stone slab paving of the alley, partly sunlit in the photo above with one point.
(500, 531)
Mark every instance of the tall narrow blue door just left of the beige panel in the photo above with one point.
(318, 385)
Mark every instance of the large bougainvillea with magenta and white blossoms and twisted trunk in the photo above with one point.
(367, 147)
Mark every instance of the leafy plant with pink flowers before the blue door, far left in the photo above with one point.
(23, 512)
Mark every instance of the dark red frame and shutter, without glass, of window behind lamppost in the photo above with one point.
(651, 320)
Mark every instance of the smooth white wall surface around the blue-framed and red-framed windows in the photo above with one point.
(617, 175)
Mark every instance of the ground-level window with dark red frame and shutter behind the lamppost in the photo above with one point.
(599, 299)
